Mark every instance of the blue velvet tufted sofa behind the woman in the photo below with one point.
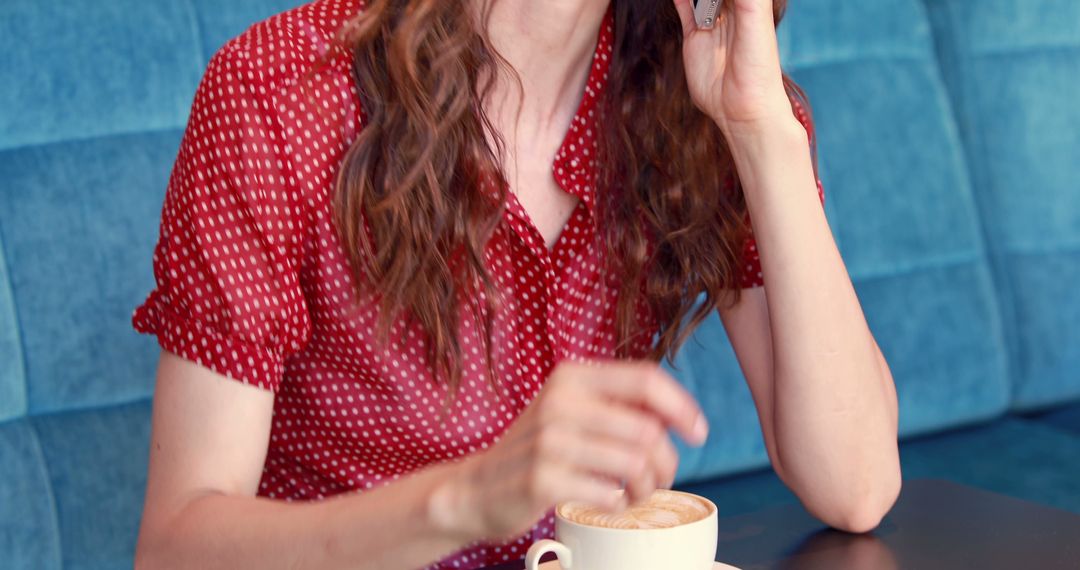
(949, 141)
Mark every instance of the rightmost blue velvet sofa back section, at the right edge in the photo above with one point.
(1014, 69)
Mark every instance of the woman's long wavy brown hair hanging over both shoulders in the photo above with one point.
(411, 205)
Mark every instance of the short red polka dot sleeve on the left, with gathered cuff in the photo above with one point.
(227, 262)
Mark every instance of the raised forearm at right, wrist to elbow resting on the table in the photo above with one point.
(835, 413)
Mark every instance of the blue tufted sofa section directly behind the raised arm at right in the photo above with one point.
(900, 205)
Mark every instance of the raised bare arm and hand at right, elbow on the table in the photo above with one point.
(823, 391)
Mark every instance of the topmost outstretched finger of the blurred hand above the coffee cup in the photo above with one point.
(649, 387)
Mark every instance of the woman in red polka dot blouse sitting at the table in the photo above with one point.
(436, 260)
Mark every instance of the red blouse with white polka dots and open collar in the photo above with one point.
(252, 281)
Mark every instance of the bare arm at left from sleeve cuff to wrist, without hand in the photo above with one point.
(208, 446)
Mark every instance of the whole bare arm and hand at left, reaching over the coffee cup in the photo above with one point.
(589, 428)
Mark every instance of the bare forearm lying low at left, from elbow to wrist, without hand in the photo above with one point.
(385, 528)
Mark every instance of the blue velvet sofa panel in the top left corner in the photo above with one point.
(89, 69)
